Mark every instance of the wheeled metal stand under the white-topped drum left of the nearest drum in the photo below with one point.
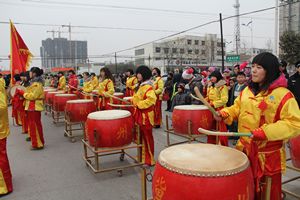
(100, 152)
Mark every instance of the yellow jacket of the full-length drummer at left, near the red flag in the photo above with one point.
(34, 97)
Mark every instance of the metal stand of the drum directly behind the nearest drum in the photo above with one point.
(189, 136)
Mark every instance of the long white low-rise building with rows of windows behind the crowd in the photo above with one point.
(197, 51)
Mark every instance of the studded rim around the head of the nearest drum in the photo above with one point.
(186, 172)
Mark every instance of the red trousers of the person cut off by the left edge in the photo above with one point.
(5, 169)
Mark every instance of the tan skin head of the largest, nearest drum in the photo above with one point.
(203, 160)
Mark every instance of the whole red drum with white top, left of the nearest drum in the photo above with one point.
(113, 127)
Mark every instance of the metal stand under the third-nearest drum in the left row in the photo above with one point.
(68, 132)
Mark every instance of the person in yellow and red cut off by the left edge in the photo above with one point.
(6, 186)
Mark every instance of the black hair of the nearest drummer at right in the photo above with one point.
(271, 64)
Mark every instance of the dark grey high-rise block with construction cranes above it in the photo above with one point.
(60, 52)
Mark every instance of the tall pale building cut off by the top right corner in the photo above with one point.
(289, 16)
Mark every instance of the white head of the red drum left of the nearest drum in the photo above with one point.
(109, 114)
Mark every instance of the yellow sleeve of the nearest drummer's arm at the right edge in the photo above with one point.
(289, 124)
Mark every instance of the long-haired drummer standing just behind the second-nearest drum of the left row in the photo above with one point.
(105, 89)
